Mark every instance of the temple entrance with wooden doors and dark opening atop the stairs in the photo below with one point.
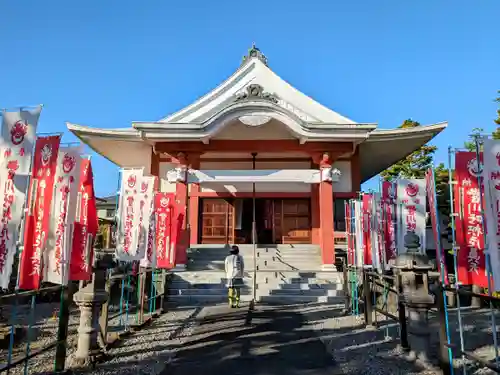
(278, 221)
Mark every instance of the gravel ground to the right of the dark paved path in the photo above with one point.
(358, 350)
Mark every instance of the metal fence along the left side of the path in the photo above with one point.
(41, 325)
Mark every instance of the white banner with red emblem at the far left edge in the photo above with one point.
(17, 141)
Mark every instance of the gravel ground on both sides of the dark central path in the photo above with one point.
(355, 349)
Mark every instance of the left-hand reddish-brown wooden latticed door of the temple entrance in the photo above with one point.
(217, 224)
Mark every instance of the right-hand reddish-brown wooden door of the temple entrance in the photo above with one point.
(296, 221)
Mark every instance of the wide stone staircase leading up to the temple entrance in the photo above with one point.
(286, 274)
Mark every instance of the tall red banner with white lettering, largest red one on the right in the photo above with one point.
(469, 229)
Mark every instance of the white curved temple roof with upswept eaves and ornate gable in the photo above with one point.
(256, 91)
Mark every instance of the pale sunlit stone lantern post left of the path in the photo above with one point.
(89, 300)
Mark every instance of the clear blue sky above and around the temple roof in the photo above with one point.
(107, 63)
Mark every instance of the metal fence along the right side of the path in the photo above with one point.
(371, 294)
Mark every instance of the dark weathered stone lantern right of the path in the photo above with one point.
(413, 266)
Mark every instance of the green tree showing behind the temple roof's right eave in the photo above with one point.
(415, 164)
